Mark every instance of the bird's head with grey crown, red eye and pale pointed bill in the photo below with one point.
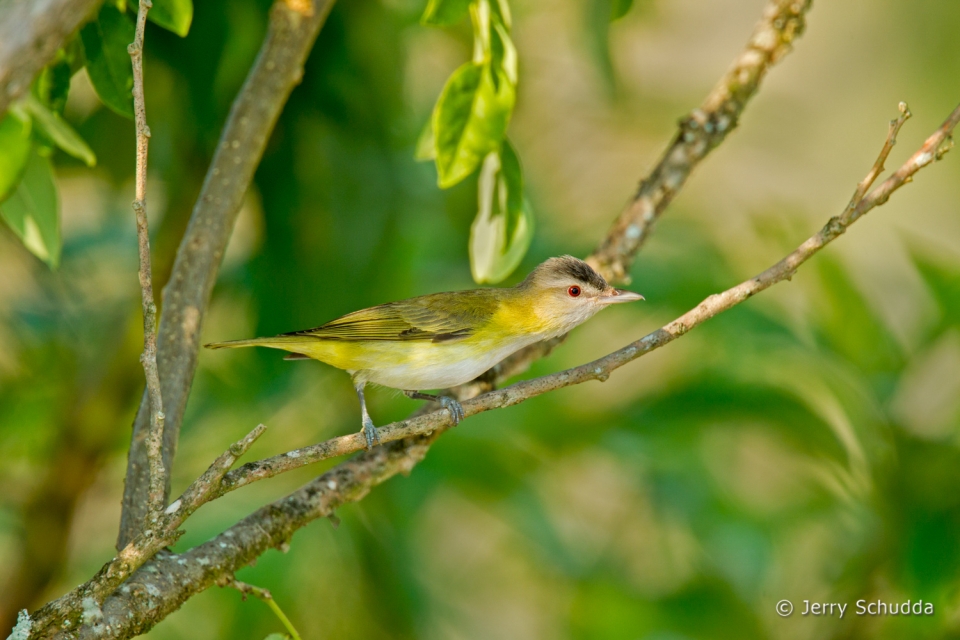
(566, 291)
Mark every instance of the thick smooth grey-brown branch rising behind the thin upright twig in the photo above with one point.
(292, 29)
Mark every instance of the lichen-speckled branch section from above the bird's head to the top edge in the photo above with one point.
(700, 132)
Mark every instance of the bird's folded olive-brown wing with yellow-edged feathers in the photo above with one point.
(438, 317)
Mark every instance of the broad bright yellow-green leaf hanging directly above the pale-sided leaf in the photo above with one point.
(470, 119)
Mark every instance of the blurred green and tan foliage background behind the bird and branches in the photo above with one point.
(800, 446)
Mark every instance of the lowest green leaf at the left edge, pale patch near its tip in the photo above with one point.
(33, 210)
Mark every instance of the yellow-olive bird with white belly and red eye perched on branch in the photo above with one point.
(441, 340)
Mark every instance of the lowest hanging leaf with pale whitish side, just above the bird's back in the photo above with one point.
(502, 231)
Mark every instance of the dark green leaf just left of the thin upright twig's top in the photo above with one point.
(105, 43)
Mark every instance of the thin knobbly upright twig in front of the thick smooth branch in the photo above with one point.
(154, 438)
